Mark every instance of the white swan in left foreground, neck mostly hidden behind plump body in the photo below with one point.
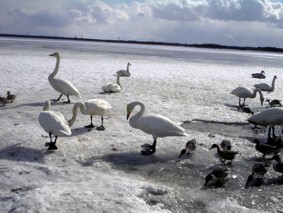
(53, 123)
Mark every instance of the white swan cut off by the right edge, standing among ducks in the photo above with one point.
(269, 117)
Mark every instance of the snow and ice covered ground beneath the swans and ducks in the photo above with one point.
(103, 171)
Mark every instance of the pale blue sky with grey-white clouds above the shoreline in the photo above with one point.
(226, 22)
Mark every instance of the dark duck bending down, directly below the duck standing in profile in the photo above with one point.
(218, 176)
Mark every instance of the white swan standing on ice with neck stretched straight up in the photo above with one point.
(62, 86)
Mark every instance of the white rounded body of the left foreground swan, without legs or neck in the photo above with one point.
(54, 122)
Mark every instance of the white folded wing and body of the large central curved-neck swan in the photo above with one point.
(158, 126)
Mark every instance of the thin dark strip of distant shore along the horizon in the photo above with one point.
(204, 45)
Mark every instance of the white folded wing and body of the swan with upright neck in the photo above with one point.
(64, 87)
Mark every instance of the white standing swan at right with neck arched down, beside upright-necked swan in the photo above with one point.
(244, 92)
